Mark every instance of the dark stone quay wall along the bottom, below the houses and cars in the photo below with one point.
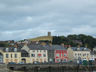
(51, 67)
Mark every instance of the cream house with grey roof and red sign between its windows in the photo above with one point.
(38, 54)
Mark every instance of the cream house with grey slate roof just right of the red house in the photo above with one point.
(79, 53)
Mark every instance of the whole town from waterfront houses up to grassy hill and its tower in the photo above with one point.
(36, 52)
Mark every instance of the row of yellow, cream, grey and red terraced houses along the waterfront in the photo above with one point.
(31, 53)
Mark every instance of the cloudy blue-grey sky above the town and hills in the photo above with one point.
(23, 19)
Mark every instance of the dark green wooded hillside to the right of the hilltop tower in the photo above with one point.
(74, 40)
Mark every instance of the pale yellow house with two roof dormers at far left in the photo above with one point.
(11, 55)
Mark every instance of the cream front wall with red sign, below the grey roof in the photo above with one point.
(38, 56)
